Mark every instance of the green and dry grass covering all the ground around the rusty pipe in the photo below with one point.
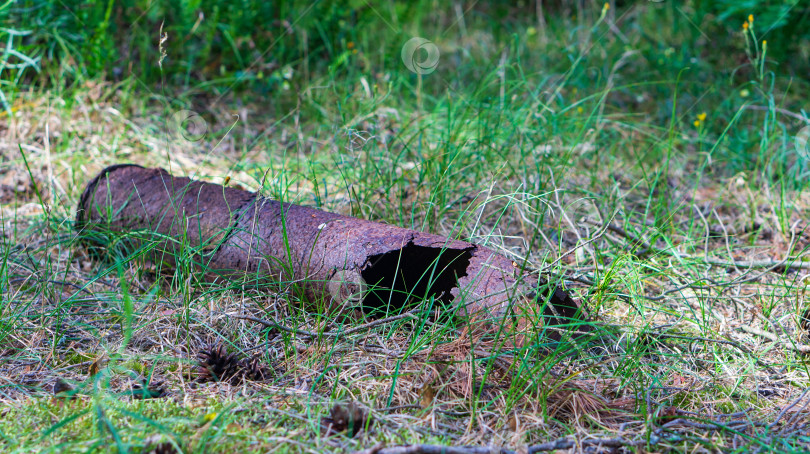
(531, 140)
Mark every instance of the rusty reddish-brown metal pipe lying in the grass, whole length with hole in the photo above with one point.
(336, 260)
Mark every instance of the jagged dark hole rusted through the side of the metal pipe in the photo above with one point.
(413, 272)
